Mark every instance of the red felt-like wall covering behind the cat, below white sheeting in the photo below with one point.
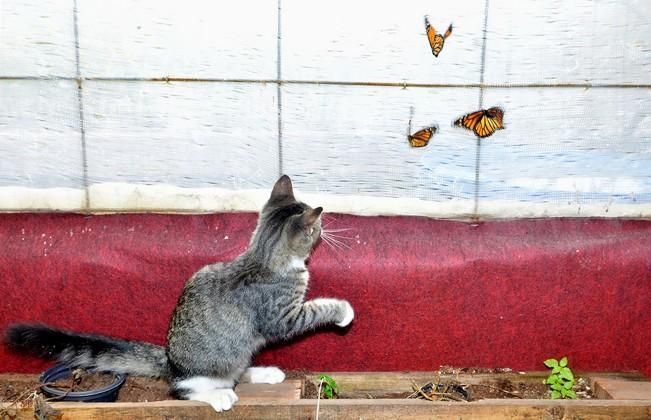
(426, 292)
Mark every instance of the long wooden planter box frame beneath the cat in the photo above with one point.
(619, 395)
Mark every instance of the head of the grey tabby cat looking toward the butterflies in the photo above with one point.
(287, 227)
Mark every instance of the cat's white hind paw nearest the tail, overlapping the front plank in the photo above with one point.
(215, 391)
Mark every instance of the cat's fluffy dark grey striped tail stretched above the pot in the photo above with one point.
(87, 350)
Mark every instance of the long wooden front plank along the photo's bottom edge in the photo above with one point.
(376, 409)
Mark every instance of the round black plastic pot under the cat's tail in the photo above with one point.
(108, 393)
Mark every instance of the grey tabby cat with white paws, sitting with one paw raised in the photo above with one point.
(226, 313)
